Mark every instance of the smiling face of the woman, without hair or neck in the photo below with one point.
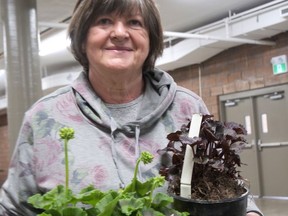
(117, 43)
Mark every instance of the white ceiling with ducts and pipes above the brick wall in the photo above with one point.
(195, 30)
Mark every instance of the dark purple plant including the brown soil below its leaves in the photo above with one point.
(216, 157)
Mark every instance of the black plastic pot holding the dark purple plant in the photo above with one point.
(229, 207)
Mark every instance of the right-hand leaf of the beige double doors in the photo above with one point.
(272, 118)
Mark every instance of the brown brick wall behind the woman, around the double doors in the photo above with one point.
(237, 69)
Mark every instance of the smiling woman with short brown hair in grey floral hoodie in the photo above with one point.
(119, 106)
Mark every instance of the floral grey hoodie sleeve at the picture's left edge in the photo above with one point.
(20, 183)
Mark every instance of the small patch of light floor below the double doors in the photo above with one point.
(273, 207)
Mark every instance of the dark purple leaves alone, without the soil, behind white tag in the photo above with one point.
(218, 147)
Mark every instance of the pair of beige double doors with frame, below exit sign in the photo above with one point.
(264, 113)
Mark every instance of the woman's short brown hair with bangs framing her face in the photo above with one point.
(87, 11)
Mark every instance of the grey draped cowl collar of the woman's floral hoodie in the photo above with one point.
(160, 90)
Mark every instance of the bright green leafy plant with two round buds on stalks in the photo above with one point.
(135, 199)
